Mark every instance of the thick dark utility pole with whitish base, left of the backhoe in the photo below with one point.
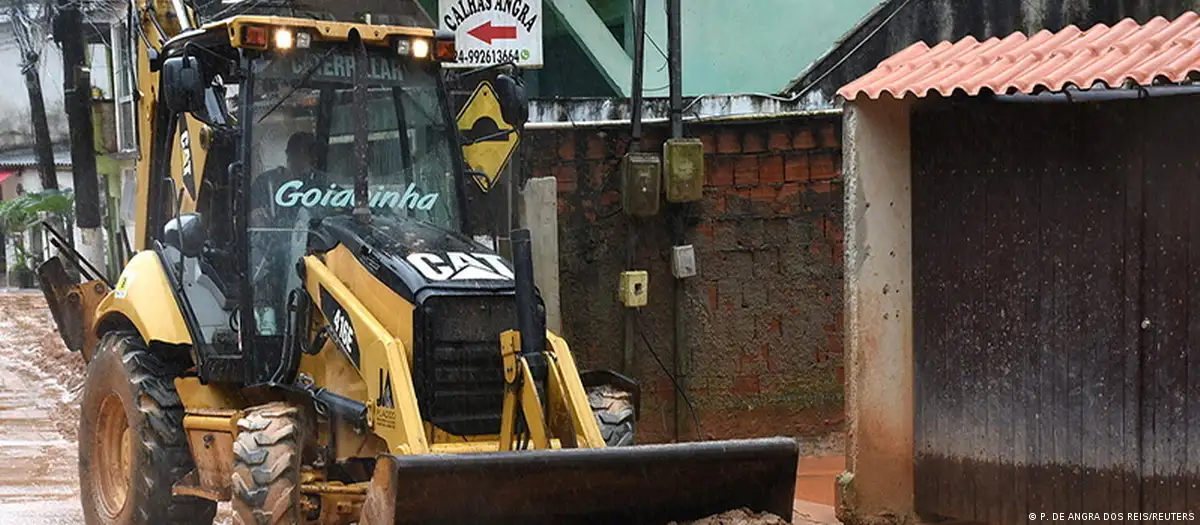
(69, 33)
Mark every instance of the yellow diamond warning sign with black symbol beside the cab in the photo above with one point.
(489, 140)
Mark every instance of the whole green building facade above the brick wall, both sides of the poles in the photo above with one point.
(730, 46)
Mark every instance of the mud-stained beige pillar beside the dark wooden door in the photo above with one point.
(879, 482)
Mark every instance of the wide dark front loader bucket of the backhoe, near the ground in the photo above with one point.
(641, 485)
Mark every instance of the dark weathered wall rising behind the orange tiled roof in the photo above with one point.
(898, 25)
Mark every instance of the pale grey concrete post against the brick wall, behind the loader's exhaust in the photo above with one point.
(539, 214)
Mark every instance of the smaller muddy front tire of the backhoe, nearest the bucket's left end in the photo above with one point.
(267, 467)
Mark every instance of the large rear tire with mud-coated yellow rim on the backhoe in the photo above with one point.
(133, 448)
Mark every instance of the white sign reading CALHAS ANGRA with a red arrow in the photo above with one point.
(494, 32)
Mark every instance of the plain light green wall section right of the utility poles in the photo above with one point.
(759, 46)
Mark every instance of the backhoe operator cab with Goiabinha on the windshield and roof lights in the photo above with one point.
(292, 138)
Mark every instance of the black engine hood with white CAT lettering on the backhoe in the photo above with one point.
(416, 258)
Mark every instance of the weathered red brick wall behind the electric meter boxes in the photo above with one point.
(763, 318)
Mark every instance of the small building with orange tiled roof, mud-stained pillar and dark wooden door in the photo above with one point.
(1022, 208)
